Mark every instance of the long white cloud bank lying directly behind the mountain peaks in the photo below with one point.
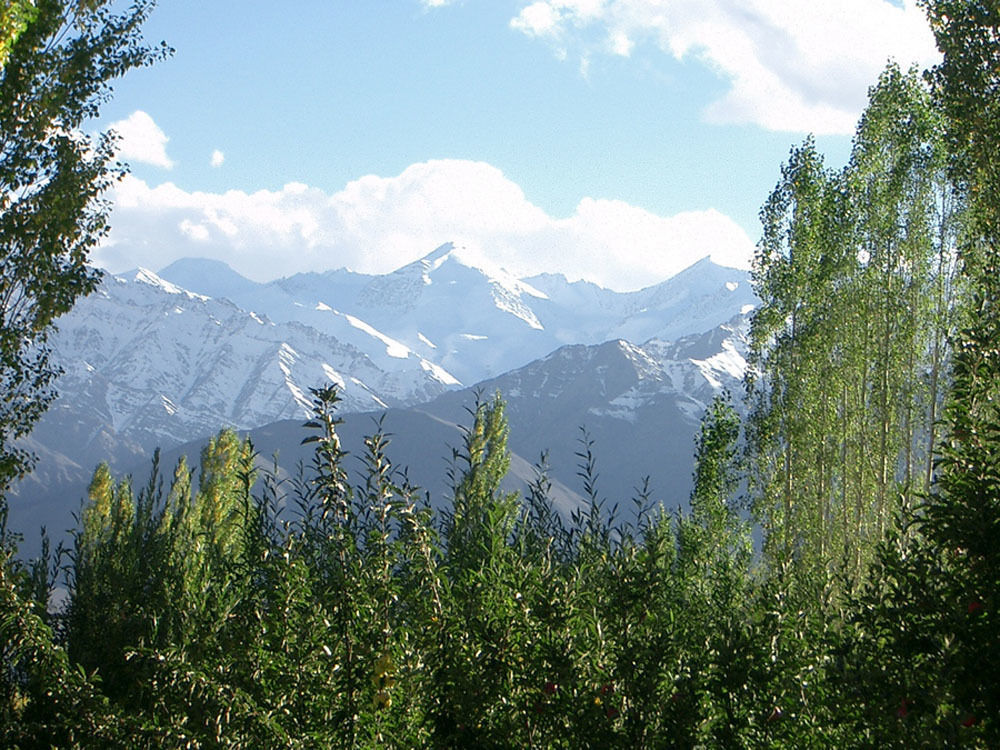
(376, 224)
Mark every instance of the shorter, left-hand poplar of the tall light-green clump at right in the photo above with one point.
(793, 407)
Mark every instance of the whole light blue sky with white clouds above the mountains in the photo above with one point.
(616, 141)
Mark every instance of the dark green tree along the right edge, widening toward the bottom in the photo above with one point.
(924, 630)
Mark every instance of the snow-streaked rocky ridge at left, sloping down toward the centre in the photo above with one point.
(154, 364)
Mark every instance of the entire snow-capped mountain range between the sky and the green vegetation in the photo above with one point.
(168, 358)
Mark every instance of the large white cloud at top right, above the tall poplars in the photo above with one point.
(791, 65)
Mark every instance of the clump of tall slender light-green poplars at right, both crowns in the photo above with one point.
(848, 349)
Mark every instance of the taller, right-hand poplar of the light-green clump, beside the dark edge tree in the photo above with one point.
(905, 218)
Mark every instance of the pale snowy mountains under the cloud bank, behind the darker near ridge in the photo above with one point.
(157, 360)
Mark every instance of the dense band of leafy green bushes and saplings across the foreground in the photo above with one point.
(358, 617)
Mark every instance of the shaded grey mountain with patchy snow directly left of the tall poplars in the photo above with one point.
(640, 404)
